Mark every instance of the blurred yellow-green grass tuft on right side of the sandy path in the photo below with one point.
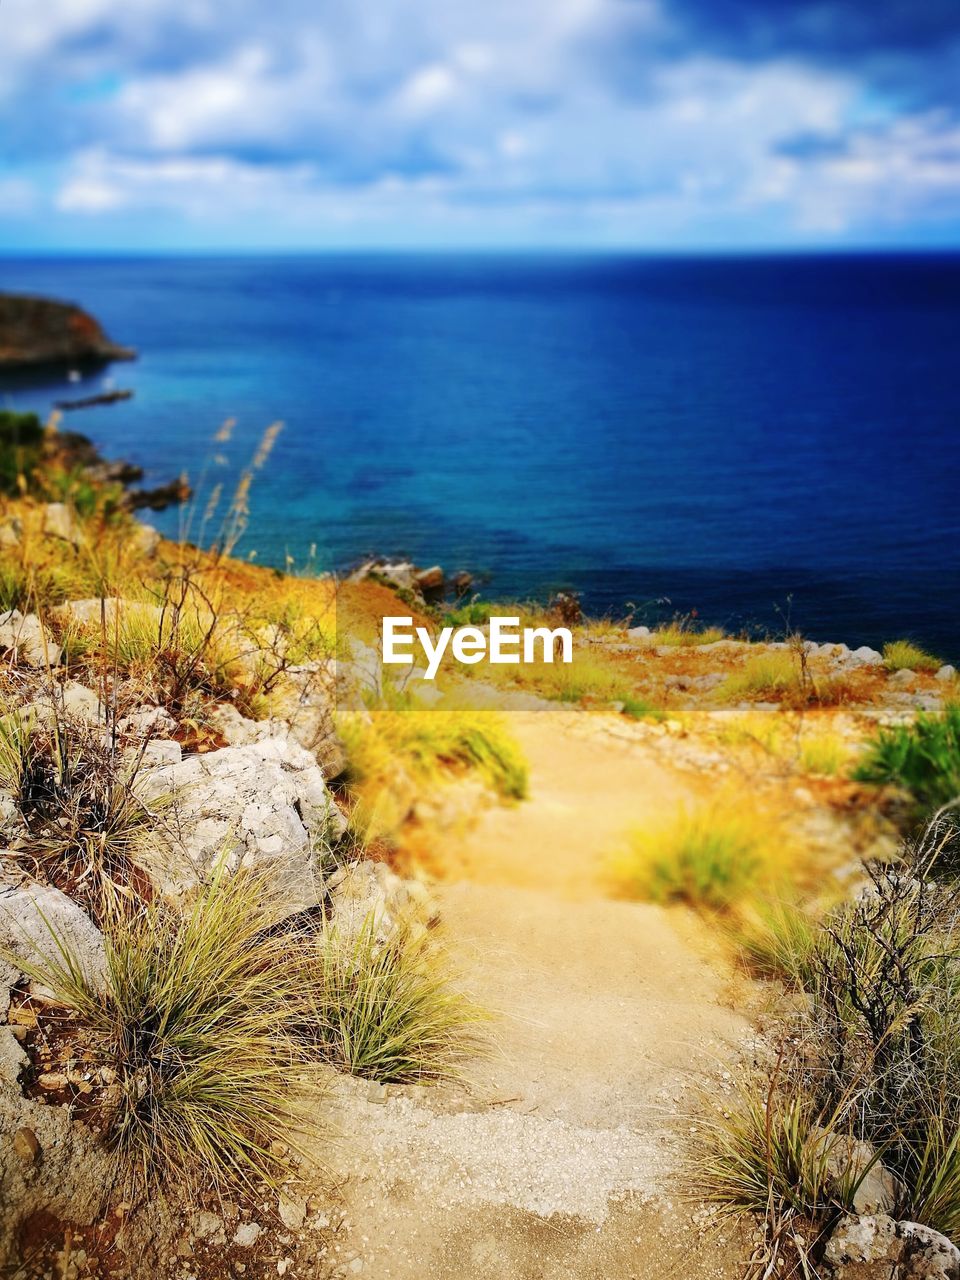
(708, 860)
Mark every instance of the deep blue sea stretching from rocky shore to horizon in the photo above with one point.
(746, 438)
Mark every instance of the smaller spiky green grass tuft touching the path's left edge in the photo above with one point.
(385, 1009)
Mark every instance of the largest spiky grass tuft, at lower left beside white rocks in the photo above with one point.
(193, 1022)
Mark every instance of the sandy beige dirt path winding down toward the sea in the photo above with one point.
(557, 1162)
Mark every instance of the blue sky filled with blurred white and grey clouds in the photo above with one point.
(651, 125)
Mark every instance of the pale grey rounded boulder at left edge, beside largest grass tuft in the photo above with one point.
(36, 921)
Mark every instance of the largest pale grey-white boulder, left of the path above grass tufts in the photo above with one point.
(260, 806)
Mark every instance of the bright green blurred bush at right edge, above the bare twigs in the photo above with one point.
(924, 758)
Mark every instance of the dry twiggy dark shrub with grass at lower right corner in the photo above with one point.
(874, 1059)
